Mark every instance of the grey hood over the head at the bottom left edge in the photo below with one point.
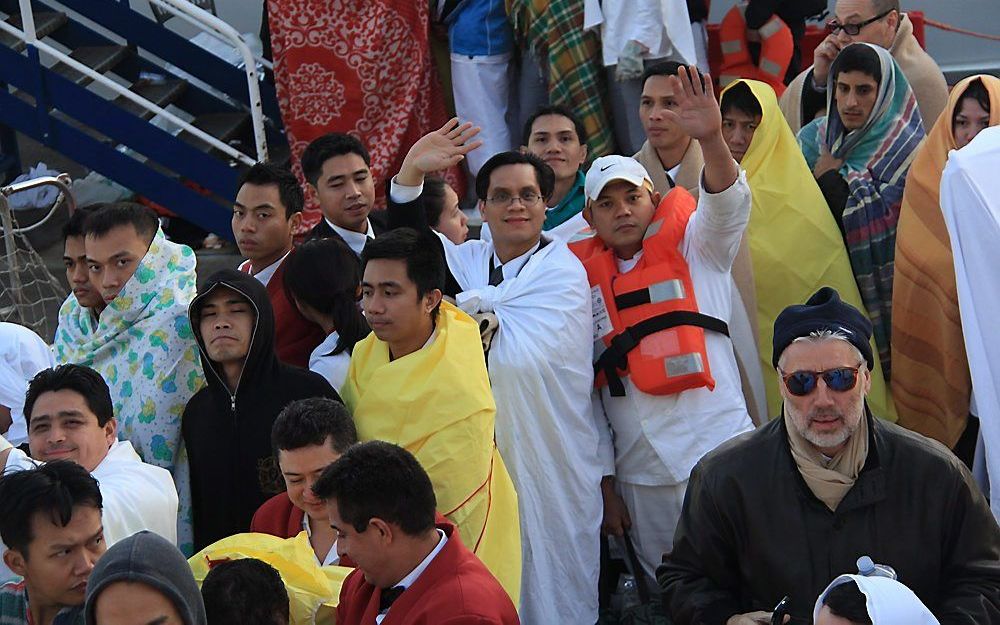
(149, 559)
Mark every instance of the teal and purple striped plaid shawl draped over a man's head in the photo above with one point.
(877, 158)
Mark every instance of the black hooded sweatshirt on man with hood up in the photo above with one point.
(228, 434)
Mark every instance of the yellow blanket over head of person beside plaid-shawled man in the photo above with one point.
(795, 245)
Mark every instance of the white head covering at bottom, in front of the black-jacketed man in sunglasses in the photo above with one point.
(888, 601)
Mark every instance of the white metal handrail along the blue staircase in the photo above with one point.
(29, 36)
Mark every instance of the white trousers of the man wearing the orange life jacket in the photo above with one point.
(655, 512)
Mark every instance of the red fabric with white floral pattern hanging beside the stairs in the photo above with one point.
(362, 67)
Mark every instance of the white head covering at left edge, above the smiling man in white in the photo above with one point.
(22, 354)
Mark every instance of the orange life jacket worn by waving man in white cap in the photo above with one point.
(647, 319)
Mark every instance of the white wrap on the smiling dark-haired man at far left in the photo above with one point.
(136, 496)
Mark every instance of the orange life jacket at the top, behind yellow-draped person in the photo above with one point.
(776, 49)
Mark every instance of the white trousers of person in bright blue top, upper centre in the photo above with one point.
(481, 85)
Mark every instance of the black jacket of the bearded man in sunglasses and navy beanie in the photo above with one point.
(752, 532)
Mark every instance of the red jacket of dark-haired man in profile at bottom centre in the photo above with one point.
(455, 589)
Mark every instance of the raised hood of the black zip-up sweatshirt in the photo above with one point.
(261, 357)
